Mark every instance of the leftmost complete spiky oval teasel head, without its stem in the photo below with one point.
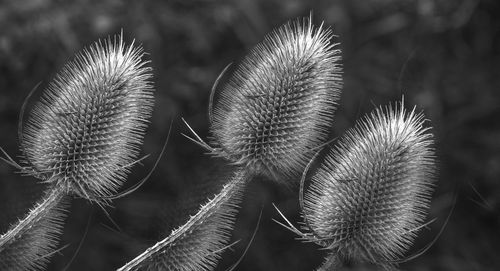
(87, 128)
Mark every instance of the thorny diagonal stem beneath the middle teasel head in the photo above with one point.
(238, 182)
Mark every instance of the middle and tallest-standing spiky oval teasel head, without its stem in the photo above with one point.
(279, 103)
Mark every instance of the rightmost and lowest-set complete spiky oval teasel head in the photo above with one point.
(372, 193)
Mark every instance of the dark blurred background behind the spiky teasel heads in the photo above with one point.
(443, 55)
